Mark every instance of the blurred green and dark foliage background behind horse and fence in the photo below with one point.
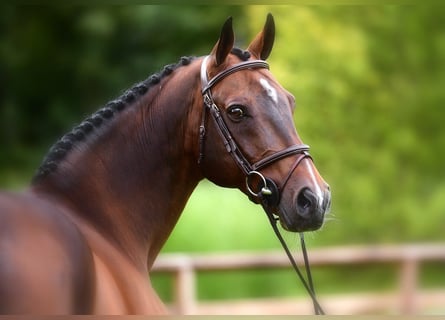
(369, 83)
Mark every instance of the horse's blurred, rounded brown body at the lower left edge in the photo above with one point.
(40, 247)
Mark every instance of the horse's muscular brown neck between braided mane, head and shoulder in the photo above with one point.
(132, 180)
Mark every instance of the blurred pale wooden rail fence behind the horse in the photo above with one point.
(408, 299)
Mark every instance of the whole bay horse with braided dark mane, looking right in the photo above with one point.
(83, 237)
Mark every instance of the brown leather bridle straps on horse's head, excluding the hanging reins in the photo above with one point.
(269, 193)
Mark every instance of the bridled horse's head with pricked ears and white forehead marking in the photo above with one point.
(248, 138)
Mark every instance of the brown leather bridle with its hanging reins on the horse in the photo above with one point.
(269, 194)
